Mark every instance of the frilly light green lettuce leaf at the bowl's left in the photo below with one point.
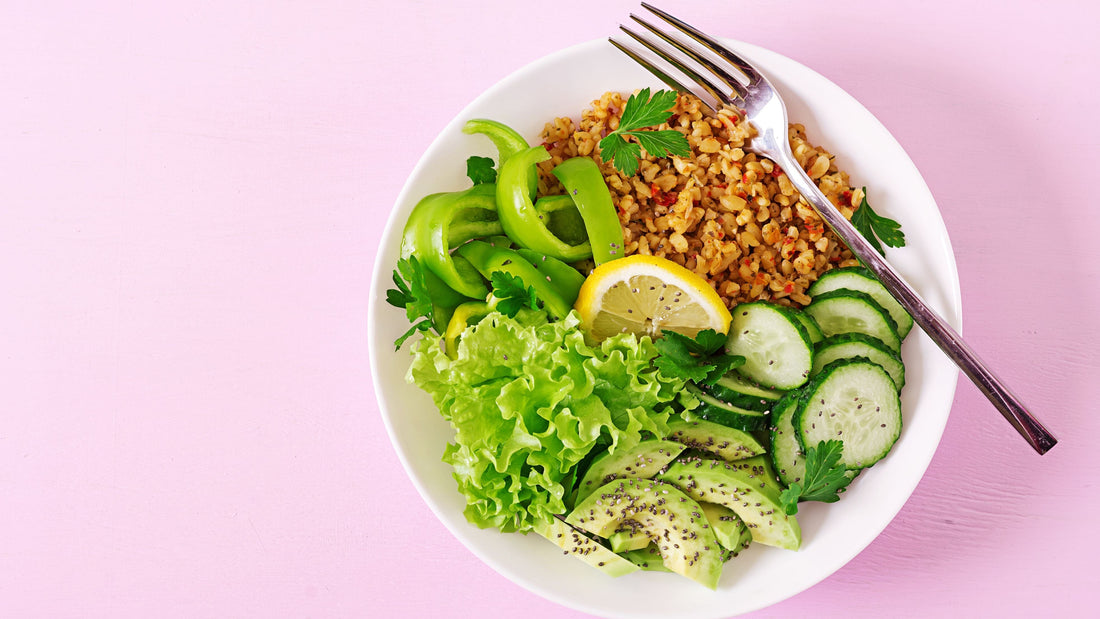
(529, 401)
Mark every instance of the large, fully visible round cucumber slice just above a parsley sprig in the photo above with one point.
(854, 402)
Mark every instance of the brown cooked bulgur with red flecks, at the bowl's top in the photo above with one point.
(728, 215)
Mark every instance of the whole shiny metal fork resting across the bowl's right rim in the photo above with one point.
(740, 85)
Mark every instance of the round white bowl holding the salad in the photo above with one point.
(563, 85)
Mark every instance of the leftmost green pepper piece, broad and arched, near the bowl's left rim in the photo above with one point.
(428, 235)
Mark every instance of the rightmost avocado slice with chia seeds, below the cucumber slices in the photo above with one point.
(749, 488)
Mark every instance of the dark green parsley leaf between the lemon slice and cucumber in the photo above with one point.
(698, 359)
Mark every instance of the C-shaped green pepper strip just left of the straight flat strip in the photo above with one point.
(521, 219)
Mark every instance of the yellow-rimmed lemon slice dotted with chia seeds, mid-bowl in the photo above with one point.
(646, 295)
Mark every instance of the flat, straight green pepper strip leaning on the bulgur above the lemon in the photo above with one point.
(585, 183)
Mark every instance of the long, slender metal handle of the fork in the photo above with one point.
(943, 335)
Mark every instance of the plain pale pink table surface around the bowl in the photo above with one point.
(191, 201)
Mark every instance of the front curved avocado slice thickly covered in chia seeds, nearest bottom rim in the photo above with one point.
(667, 515)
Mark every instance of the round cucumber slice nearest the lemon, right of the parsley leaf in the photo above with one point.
(777, 348)
